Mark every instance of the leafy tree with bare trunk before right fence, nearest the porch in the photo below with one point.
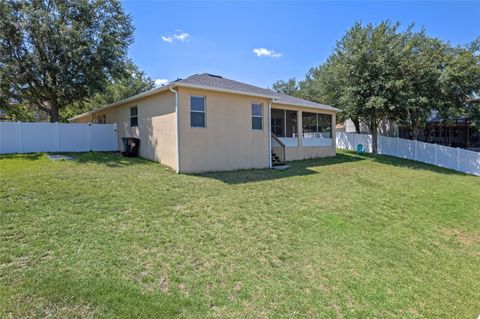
(366, 68)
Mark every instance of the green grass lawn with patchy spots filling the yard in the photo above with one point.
(352, 236)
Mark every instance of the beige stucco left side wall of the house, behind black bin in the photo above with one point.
(156, 126)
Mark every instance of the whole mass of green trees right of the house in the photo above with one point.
(380, 73)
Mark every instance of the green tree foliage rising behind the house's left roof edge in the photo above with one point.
(132, 82)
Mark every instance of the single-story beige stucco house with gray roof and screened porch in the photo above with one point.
(209, 123)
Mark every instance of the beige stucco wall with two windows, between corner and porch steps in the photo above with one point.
(228, 141)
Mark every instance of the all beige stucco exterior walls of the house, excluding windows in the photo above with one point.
(227, 143)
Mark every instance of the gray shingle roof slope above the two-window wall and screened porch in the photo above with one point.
(217, 82)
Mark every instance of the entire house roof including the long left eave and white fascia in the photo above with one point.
(217, 83)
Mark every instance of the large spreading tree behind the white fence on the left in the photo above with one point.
(56, 53)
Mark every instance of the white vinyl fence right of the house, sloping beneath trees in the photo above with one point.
(454, 158)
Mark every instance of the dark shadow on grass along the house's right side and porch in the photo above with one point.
(297, 168)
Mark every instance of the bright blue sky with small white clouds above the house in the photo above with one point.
(262, 42)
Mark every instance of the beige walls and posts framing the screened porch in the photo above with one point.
(300, 152)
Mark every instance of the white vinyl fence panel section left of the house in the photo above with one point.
(19, 137)
